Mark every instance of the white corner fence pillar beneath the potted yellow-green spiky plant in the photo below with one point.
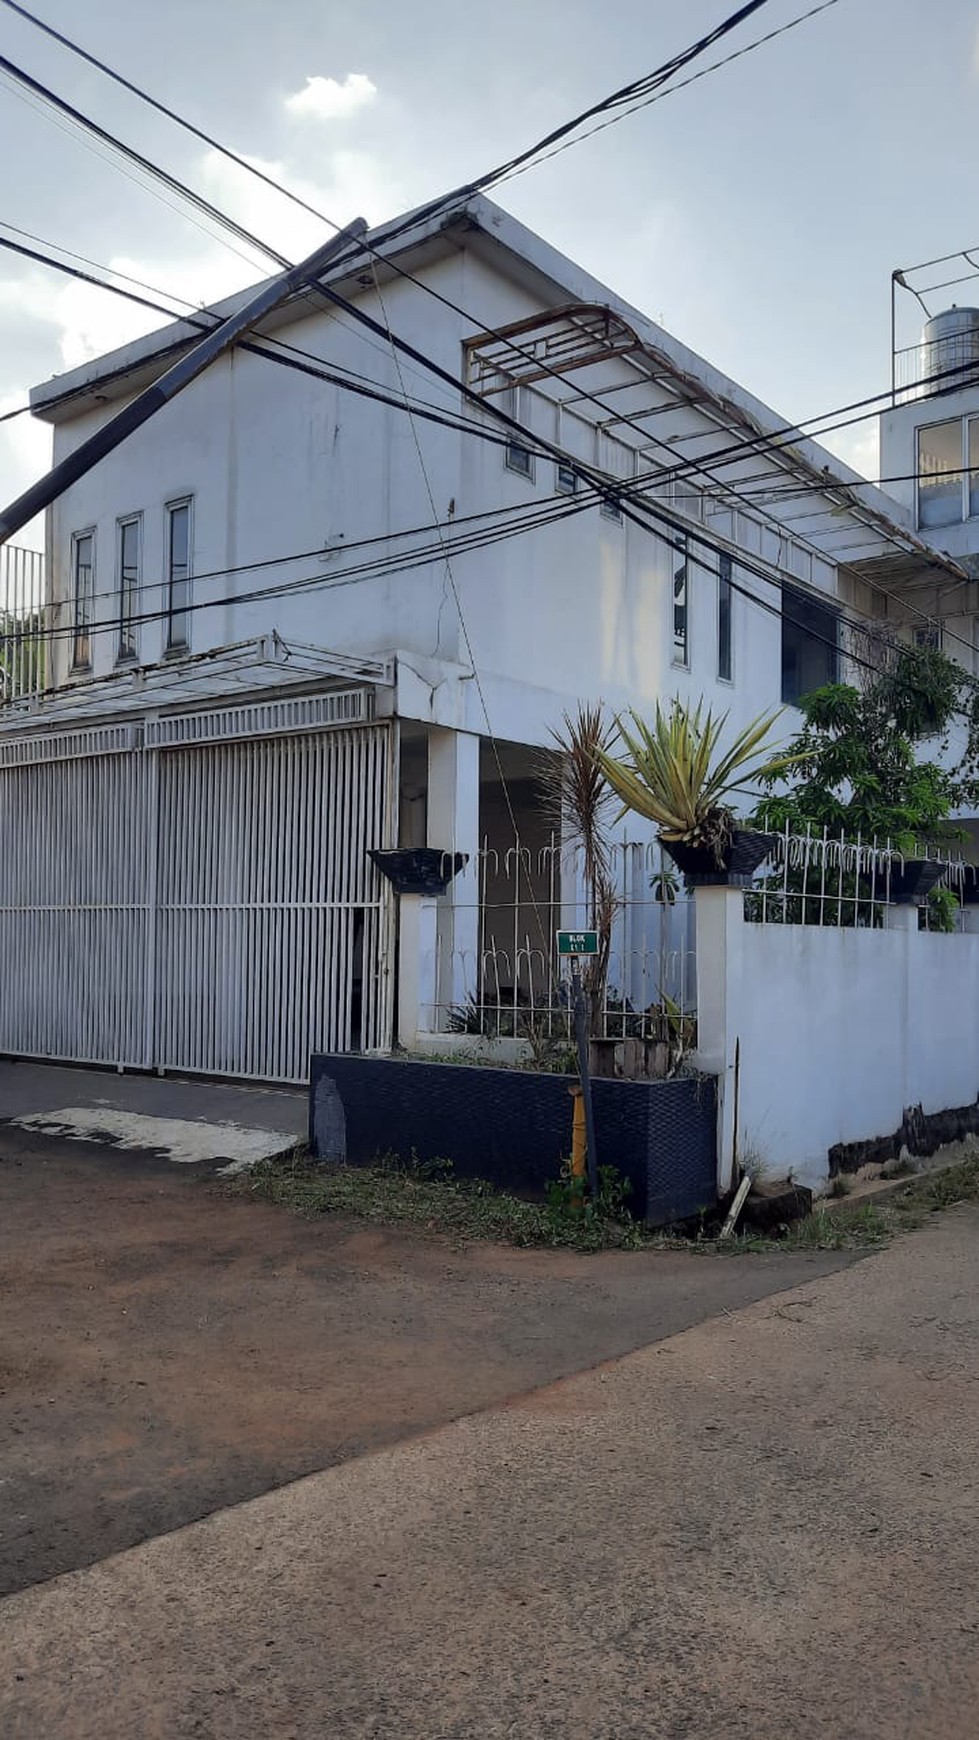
(721, 974)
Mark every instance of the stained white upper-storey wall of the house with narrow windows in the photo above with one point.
(283, 464)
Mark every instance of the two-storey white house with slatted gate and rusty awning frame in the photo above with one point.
(269, 659)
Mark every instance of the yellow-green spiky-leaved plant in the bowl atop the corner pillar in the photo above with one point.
(676, 775)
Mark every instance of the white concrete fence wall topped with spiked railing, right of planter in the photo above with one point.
(837, 1033)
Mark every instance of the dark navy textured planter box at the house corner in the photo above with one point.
(514, 1128)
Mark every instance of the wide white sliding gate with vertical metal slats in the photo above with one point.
(190, 904)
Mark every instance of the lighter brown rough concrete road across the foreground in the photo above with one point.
(763, 1529)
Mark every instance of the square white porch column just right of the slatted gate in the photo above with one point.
(455, 827)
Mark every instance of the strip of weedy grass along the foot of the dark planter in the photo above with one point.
(427, 1198)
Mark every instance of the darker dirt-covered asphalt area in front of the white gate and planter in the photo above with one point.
(168, 1351)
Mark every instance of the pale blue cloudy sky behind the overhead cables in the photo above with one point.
(757, 215)
